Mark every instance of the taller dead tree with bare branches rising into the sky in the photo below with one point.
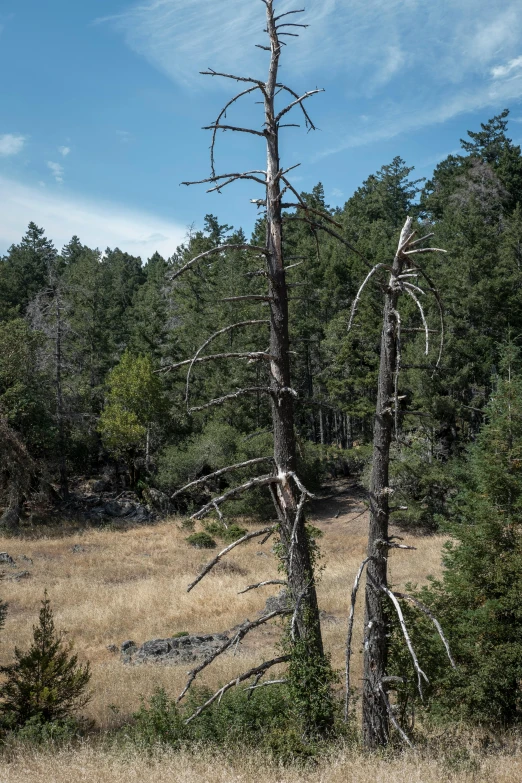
(288, 494)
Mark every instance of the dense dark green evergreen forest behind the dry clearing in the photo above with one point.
(106, 381)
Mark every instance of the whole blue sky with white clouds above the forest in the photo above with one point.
(102, 104)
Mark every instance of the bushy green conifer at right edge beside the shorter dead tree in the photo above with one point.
(478, 599)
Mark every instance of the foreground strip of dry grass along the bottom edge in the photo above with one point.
(92, 765)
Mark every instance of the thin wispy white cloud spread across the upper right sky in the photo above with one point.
(405, 63)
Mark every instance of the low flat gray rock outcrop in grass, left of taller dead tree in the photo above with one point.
(180, 649)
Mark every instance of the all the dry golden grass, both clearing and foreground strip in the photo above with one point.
(107, 586)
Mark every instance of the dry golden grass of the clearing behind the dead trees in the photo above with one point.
(131, 584)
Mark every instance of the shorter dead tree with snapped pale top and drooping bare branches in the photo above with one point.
(377, 712)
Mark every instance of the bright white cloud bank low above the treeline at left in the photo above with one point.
(98, 224)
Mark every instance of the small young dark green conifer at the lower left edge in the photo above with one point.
(46, 683)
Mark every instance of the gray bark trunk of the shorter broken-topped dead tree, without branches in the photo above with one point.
(375, 712)
